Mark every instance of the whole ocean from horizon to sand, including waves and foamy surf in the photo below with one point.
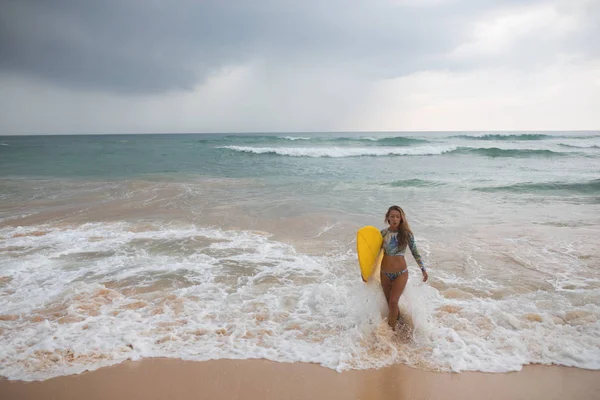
(199, 247)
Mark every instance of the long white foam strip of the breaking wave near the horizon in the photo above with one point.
(338, 152)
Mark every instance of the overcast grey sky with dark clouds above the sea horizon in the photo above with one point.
(134, 66)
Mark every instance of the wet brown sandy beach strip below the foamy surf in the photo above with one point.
(260, 379)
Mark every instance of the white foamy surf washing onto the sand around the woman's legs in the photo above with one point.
(76, 298)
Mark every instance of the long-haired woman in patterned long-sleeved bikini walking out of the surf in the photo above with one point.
(394, 272)
